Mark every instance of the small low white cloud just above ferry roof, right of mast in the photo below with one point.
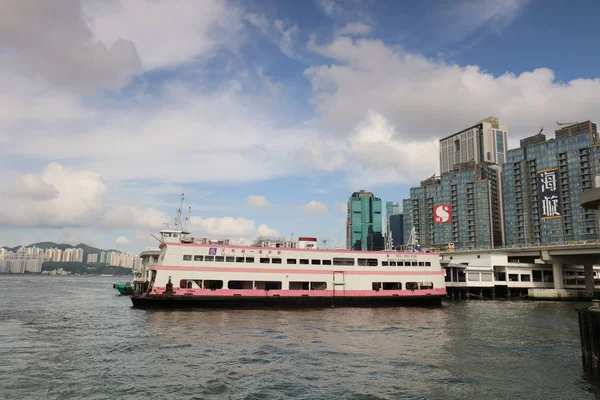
(237, 229)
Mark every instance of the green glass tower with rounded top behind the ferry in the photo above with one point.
(364, 222)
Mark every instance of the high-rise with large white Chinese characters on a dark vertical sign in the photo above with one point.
(543, 181)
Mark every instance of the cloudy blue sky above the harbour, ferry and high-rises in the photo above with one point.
(266, 114)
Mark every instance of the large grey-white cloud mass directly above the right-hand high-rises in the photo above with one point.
(389, 108)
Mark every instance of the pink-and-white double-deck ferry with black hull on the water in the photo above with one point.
(206, 273)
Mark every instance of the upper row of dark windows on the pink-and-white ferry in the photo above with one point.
(371, 262)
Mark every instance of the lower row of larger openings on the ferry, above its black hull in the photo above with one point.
(303, 285)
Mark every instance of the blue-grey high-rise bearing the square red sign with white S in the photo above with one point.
(459, 209)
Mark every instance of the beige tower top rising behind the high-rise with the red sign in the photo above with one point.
(483, 142)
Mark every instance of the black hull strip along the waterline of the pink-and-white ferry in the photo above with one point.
(233, 302)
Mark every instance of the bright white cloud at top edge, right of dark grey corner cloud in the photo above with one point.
(166, 33)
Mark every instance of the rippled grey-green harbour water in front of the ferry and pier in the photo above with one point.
(75, 337)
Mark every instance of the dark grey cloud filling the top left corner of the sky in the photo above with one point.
(62, 49)
